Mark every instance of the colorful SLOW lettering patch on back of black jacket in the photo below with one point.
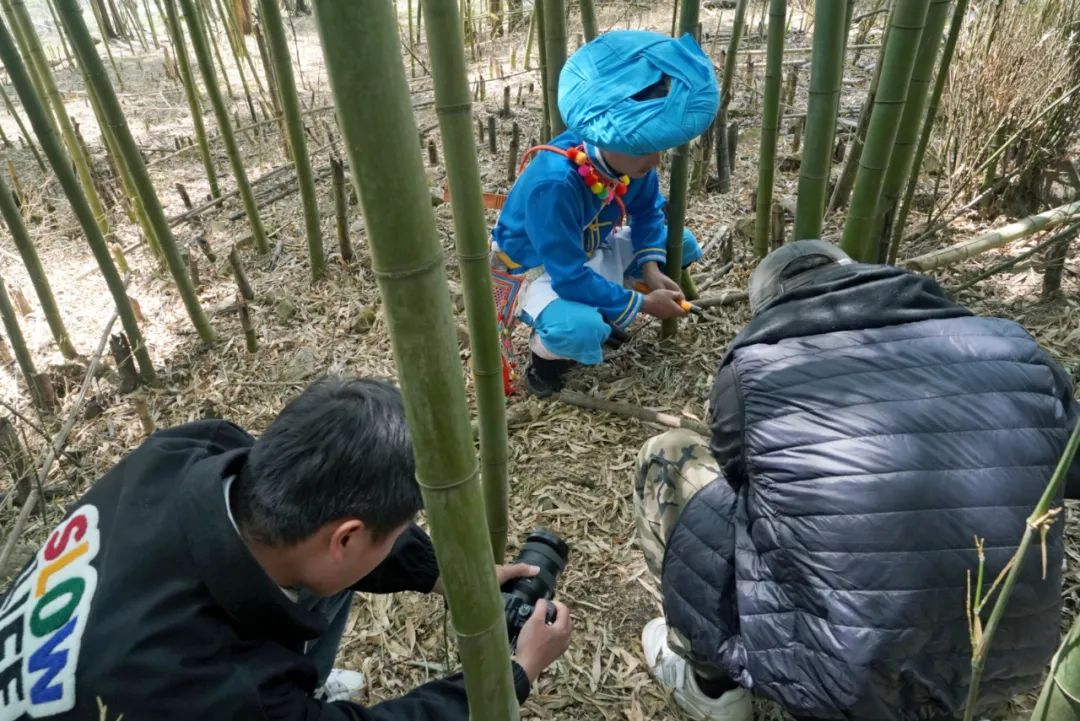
(43, 621)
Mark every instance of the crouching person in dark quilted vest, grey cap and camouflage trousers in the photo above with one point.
(866, 432)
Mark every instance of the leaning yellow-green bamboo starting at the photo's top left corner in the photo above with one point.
(39, 66)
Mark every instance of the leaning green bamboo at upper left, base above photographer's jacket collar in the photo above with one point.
(128, 154)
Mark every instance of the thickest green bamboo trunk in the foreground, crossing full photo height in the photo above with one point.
(380, 134)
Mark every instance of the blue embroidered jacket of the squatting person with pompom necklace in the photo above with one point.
(552, 220)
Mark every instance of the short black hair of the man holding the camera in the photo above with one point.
(341, 450)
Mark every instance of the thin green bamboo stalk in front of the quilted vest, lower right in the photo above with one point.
(1038, 520)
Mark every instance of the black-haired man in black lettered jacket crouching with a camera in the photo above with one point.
(209, 576)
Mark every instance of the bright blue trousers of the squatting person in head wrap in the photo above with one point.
(576, 331)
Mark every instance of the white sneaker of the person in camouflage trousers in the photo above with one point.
(673, 672)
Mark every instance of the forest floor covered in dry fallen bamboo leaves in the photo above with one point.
(572, 470)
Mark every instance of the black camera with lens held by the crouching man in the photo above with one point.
(549, 553)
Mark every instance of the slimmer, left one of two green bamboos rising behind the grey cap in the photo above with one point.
(771, 125)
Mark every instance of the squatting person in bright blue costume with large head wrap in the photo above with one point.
(585, 224)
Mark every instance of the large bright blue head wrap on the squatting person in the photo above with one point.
(599, 84)
